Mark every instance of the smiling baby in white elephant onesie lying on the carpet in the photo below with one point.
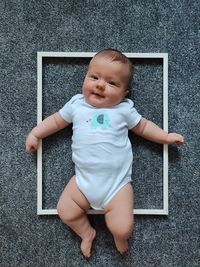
(101, 150)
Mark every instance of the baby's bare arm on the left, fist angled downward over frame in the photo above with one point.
(48, 126)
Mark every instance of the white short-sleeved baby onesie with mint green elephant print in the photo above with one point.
(101, 149)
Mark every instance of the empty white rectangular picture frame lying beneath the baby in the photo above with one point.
(164, 57)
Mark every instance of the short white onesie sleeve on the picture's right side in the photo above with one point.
(133, 117)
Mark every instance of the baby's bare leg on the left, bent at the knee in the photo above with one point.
(72, 207)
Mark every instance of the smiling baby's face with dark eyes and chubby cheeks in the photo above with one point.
(105, 84)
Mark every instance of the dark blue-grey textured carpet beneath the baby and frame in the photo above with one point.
(26, 27)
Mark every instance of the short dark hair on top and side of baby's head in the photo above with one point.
(116, 55)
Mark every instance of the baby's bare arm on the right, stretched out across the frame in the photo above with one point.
(150, 131)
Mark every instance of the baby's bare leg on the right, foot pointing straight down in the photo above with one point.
(119, 217)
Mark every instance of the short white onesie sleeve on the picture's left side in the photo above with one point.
(66, 112)
